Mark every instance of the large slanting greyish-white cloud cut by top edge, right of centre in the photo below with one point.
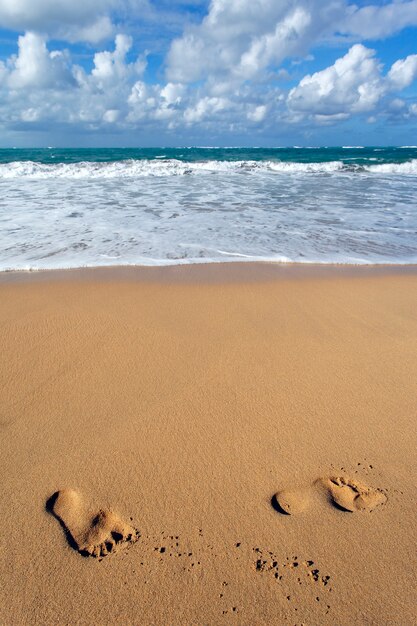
(240, 38)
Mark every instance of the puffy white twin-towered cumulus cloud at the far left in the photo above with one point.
(74, 96)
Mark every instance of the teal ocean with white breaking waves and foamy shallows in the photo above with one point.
(67, 208)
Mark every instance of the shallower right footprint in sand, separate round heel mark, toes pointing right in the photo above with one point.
(345, 493)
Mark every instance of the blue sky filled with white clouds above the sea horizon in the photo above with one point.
(78, 73)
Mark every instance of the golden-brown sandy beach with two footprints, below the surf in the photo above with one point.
(172, 417)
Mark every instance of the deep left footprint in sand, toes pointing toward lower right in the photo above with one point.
(92, 534)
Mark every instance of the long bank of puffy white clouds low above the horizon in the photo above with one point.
(114, 94)
